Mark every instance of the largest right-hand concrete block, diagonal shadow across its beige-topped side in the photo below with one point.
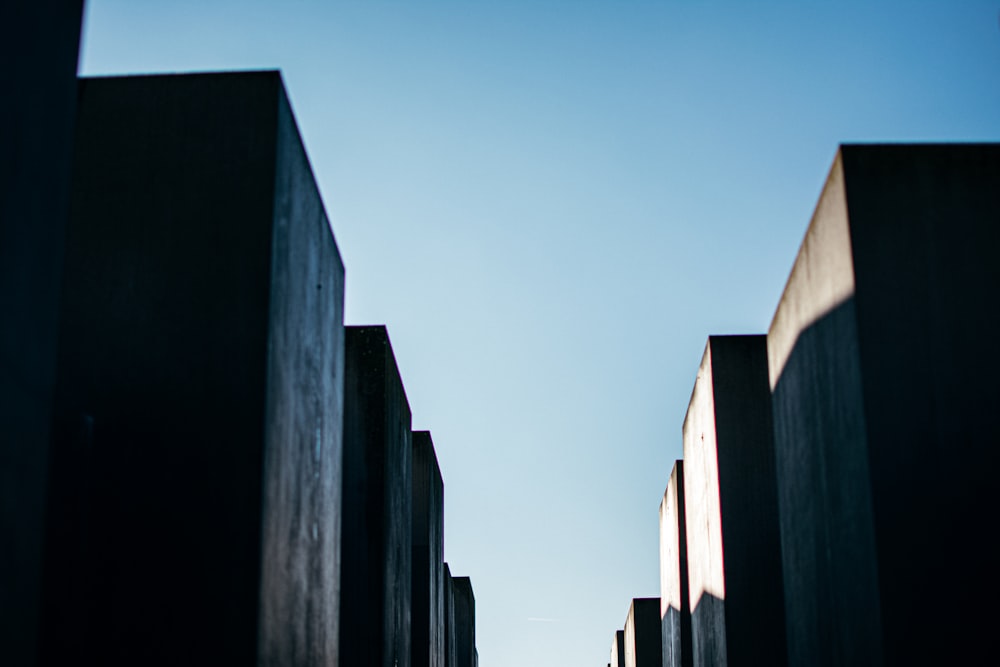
(884, 394)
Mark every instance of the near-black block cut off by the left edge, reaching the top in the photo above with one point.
(39, 42)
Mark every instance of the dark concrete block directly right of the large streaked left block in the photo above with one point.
(378, 495)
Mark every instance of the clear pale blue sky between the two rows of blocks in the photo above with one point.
(551, 206)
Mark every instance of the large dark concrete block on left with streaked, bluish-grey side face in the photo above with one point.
(196, 454)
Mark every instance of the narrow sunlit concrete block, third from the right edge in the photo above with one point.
(675, 606)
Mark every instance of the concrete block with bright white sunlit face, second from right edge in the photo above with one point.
(730, 499)
